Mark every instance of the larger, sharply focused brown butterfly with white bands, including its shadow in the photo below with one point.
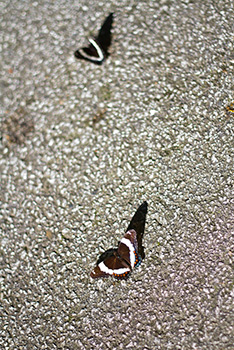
(120, 262)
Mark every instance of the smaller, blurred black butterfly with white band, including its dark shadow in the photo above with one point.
(97, 51)
